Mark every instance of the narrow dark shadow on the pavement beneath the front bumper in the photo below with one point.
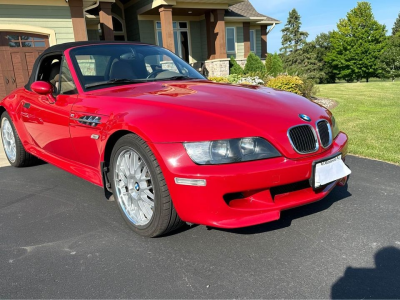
(338, 193)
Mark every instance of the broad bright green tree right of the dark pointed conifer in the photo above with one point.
(357, 45)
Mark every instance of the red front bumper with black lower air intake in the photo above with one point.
(241, 194)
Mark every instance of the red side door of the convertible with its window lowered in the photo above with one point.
(47, 118)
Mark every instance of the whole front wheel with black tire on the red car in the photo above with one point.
(136, 180)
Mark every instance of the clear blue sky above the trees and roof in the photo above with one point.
(319, 16)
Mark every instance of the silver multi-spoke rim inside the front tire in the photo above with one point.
(134, 187)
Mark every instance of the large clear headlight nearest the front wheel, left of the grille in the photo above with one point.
(230, 151)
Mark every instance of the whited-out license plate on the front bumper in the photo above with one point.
(329, 170)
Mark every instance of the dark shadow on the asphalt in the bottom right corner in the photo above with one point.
(381, 282)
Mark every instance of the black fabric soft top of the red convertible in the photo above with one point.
(60, 48)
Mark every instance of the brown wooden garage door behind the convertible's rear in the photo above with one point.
(18, 52)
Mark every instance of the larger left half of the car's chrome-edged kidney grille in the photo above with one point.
(303, 139)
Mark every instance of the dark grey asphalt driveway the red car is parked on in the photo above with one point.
(60, 238)
